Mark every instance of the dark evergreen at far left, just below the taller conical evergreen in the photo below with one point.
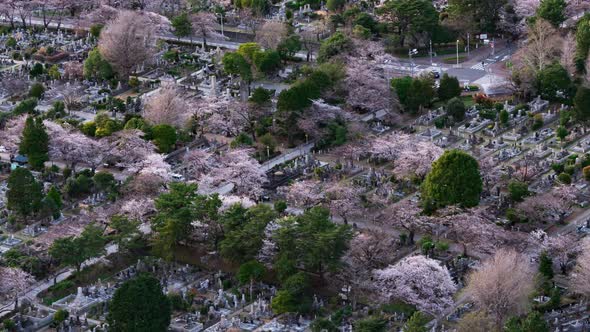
(24, 193)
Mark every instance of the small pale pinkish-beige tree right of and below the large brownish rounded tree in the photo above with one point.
(167, 106)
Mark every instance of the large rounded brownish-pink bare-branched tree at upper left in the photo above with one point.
(127, 42)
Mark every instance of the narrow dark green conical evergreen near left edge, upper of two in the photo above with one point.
(35, 143)
